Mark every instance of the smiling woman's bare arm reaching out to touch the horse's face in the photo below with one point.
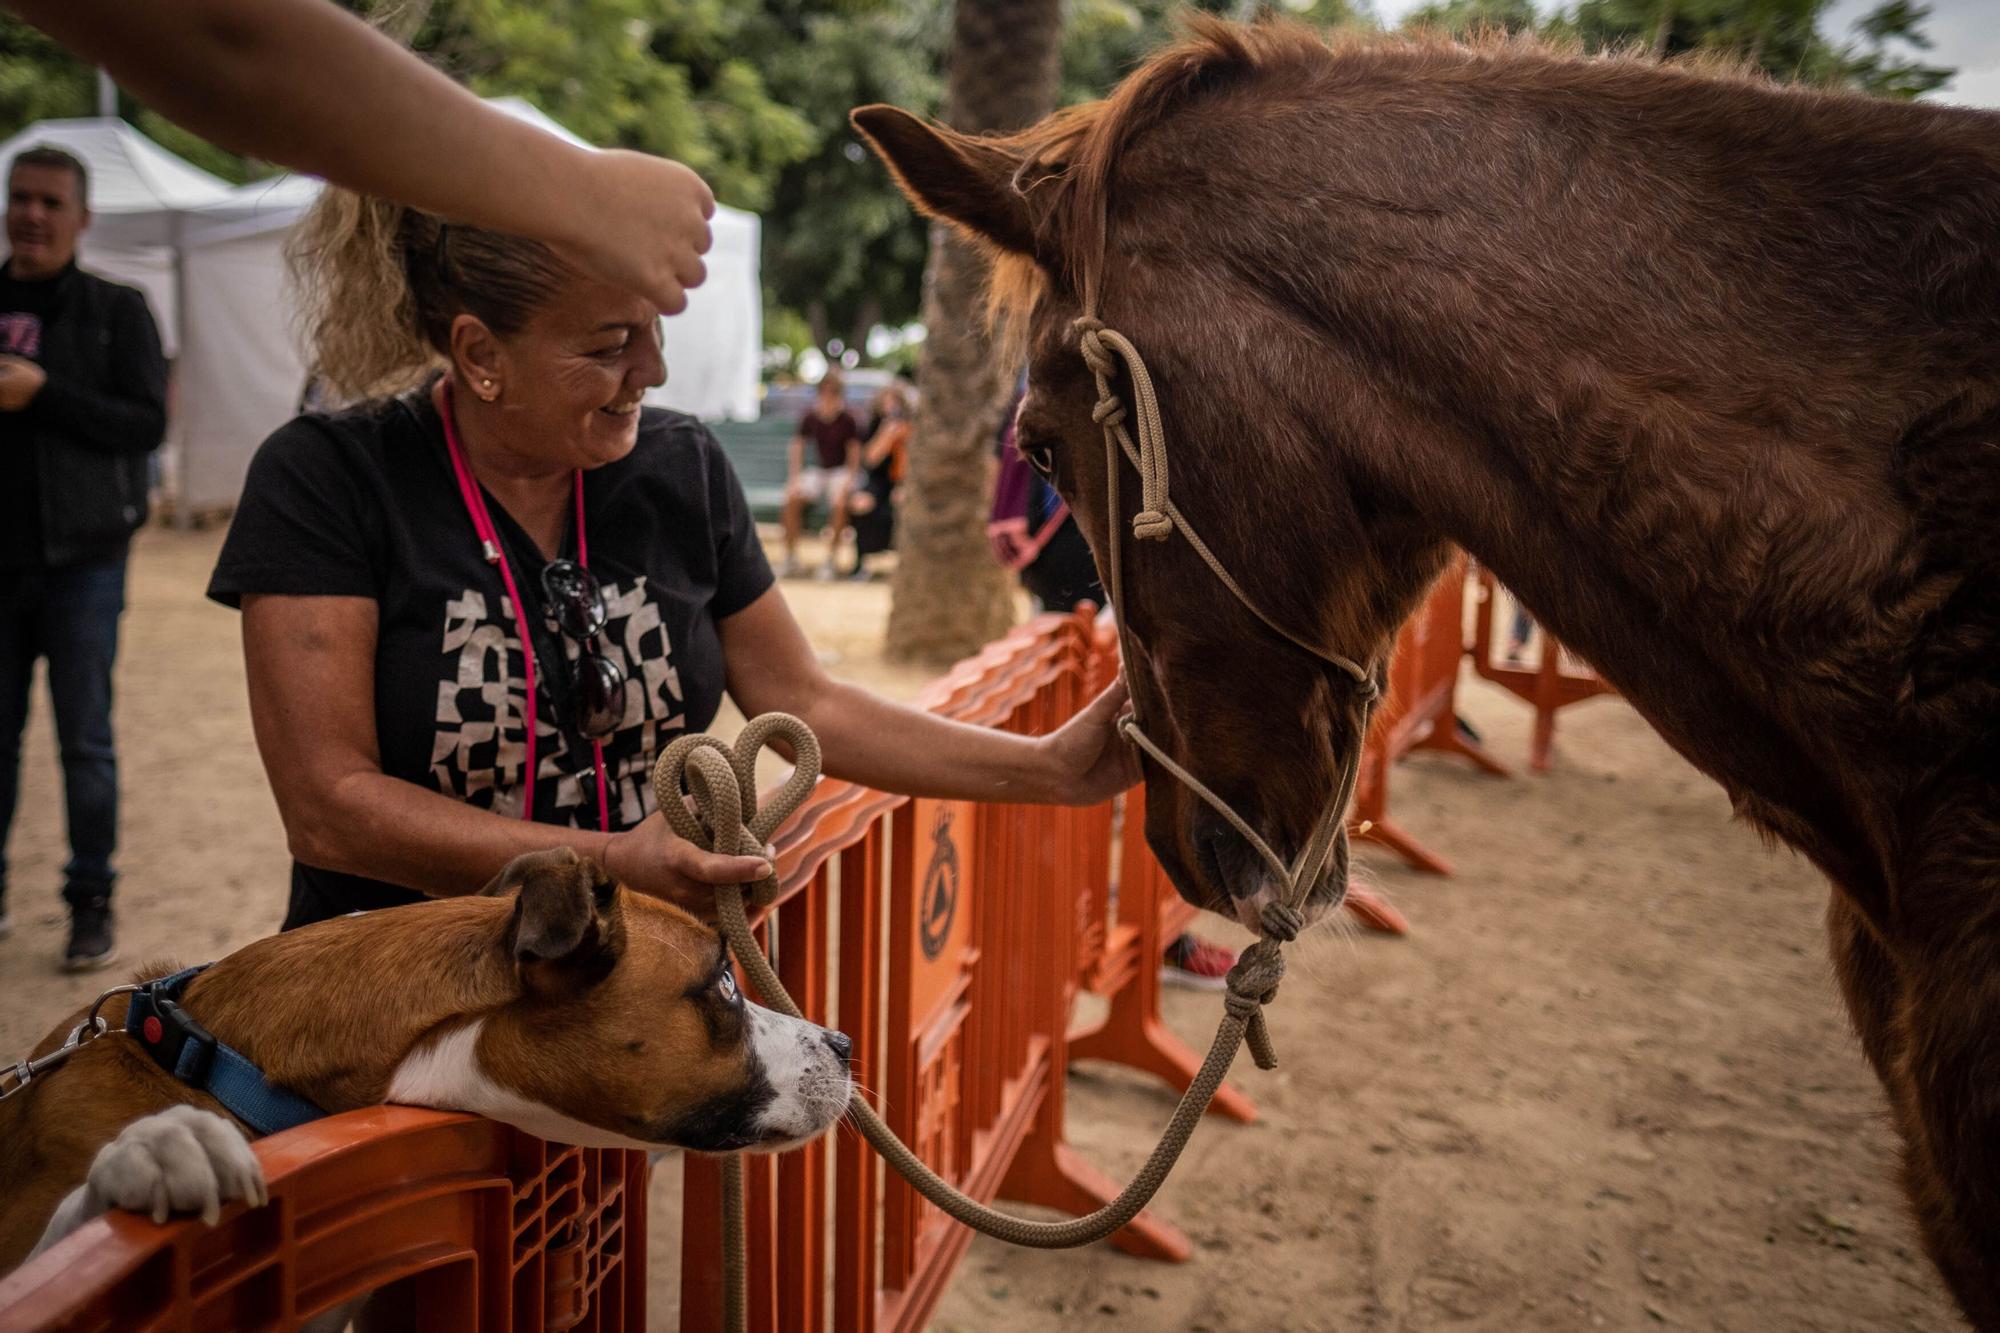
(893, 748)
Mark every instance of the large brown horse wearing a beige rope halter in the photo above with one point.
(1707, 371)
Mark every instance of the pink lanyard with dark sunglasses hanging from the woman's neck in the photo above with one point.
(577, 605)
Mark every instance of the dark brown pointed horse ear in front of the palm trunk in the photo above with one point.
(957, 177)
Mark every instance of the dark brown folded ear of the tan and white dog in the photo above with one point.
(569, 924)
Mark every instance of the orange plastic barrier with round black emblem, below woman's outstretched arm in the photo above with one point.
(961, 936)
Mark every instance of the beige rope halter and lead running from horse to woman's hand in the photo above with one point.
(721, 784)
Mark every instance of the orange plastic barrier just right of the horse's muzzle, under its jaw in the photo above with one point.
(1419, 714)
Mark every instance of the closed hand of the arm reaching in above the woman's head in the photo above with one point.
(643, 225)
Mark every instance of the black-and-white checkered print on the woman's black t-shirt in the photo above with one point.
(479, 748)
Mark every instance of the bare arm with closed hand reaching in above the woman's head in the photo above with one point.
(311, 87)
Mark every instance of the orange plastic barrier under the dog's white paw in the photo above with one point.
(487, 1230)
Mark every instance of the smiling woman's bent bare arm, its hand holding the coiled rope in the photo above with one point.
(311, 663)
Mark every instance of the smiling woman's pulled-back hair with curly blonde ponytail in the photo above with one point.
(381, 285)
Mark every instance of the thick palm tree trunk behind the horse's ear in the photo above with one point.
(951, 595)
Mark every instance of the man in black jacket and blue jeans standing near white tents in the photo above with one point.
(83, 401)
